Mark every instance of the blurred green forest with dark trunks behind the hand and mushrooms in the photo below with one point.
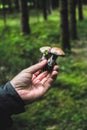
(27, 25)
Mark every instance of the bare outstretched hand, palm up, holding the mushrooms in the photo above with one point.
(31, 83)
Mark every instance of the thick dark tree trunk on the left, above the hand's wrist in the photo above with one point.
(24, 17)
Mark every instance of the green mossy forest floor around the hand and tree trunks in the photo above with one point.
(64, 106)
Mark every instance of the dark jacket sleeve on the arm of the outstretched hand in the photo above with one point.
(10, 103)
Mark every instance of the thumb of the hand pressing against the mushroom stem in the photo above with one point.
(36, 67)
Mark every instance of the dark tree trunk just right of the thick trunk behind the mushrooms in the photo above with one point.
(72, 12)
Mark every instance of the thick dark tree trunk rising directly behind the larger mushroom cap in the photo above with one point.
(64, 25)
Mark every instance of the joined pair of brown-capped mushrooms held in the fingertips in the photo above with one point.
(51, 54)
